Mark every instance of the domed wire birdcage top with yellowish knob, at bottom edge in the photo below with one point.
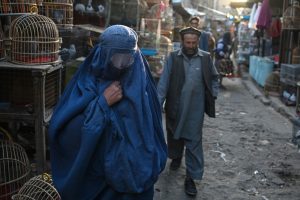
(38, 188)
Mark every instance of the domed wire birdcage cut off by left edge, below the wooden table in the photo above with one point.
(14, 168)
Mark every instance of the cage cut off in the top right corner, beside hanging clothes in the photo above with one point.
(291, 17)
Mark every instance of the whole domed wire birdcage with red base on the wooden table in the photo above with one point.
(34, 40)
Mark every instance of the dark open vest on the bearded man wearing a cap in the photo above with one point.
(177, 79)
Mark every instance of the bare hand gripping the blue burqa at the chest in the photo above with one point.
(113, 93)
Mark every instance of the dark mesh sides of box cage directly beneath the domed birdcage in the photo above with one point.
(18, 89)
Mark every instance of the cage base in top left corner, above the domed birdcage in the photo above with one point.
(13, 7)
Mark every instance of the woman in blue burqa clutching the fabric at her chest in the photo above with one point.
(106, 136)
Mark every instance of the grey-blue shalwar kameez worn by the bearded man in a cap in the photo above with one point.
(191, 110)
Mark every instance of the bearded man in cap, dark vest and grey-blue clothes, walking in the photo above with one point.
(189, 87)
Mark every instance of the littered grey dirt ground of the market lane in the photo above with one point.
(248, 153)
